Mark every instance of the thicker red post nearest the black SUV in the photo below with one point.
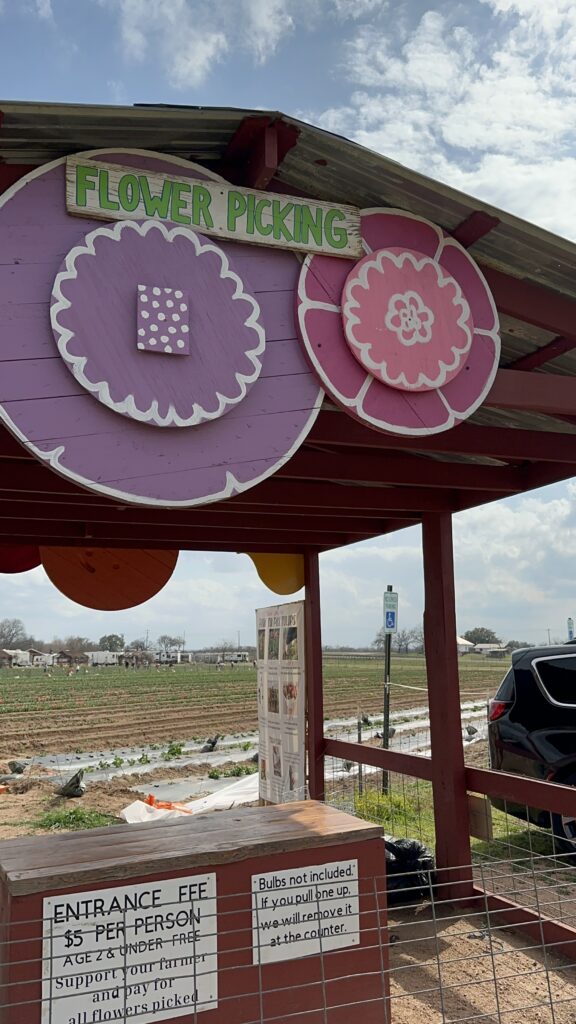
(449, 780)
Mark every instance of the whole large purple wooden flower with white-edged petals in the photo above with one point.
(168, 372)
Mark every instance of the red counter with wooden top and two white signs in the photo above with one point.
(229, 918)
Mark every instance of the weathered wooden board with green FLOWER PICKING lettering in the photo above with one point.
(110, 192)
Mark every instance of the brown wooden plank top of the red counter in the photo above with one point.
(42, 864)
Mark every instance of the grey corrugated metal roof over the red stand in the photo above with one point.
(323, 165)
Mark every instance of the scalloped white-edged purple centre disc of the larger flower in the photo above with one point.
(100, 306)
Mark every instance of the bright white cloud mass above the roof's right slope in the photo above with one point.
(481, 96)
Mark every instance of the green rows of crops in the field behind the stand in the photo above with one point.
(103, 708)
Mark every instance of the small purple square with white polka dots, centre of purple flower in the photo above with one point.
(162, 321)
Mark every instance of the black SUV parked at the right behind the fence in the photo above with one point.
(532, 729)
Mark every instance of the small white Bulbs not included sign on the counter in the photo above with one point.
(305, 912)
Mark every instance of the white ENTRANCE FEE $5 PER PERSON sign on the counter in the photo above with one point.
(146, 952)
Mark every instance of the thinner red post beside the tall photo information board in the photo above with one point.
(315, 693)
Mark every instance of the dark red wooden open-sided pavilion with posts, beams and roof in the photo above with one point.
(347, 483)
